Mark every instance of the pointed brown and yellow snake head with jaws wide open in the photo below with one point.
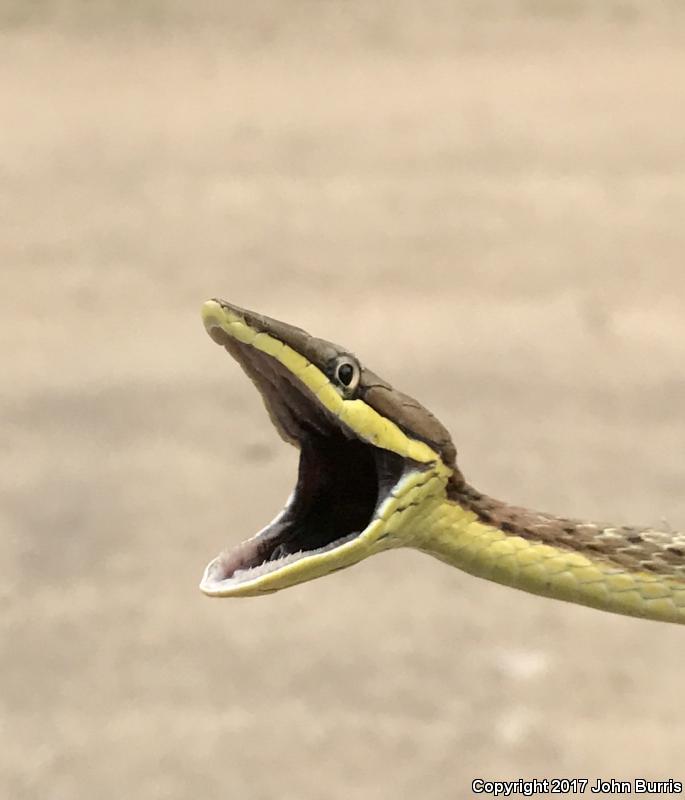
(369, 456)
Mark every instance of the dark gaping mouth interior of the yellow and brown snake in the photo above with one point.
(342, 479)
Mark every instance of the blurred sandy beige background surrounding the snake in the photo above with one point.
(484, 200)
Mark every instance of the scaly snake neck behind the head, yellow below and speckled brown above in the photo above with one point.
(635, 571)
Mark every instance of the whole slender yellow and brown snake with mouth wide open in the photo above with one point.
(378, 471)
